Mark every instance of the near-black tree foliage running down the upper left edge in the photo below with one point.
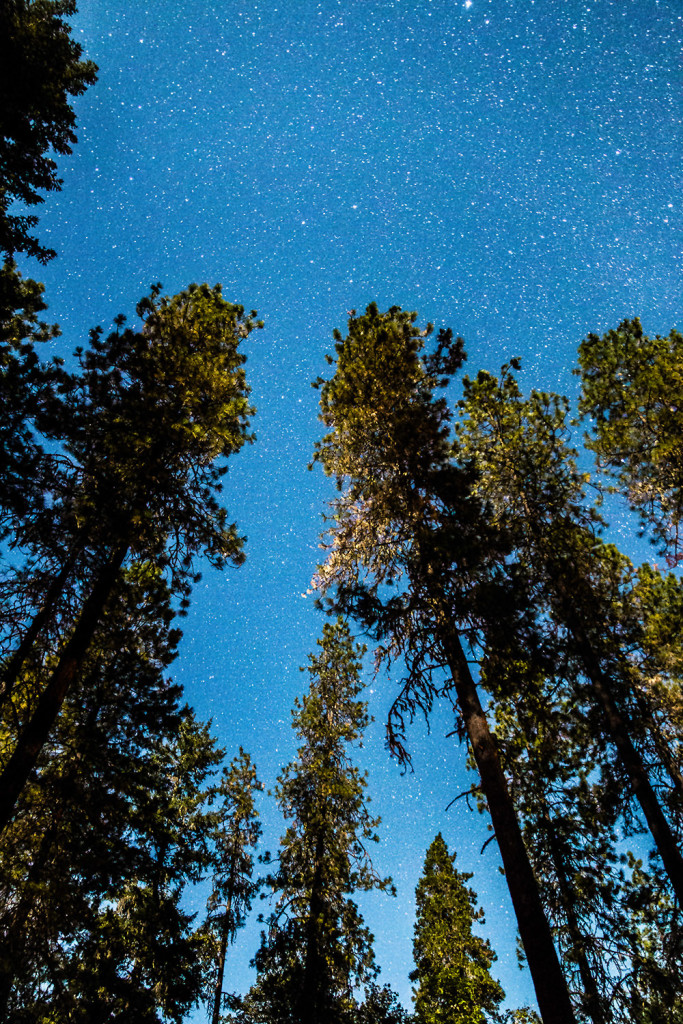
(40, 70)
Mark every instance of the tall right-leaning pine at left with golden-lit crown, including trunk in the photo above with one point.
(153, 416)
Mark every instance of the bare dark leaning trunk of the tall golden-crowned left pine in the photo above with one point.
(34, 736)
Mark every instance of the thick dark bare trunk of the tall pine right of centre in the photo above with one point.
(549, 983)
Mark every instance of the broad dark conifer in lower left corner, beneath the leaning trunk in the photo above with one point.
(109, 835)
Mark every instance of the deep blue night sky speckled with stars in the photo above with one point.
(508, 168)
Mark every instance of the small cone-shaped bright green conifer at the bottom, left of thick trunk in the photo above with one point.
(453, 965)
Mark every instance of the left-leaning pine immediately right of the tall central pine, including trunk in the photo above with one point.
(578, 585)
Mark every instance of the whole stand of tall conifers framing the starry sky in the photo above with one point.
(468, 541)
